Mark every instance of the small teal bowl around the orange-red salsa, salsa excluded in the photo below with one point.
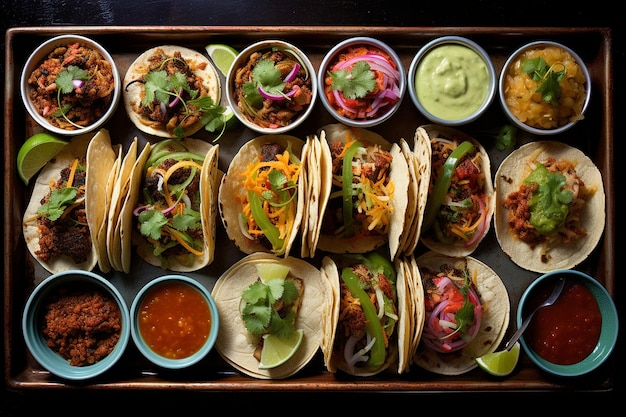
(143, 345)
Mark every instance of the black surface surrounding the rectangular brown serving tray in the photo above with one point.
(391, 13)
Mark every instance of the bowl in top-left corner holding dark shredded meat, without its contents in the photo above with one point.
(39, 55)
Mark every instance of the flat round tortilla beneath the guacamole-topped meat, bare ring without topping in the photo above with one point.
(511, 174)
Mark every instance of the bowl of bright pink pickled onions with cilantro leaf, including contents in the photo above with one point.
(361, 81)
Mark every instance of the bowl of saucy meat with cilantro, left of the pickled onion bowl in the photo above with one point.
(272, 87)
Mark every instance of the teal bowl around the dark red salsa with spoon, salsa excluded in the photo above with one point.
(608, 333)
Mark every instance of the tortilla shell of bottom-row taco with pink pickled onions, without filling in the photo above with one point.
(494, 323)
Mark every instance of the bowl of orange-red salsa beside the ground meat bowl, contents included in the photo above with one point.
(175, 321)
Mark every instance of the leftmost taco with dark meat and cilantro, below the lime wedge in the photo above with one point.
(55, 223)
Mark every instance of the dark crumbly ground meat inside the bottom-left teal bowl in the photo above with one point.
(82, 325)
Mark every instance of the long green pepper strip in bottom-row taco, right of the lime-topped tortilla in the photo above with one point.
(374, 328)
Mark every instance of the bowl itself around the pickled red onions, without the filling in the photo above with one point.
(397, 83)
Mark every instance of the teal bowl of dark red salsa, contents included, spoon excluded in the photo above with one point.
(577, 333)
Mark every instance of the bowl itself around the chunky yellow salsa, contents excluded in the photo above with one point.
(538, 130)
